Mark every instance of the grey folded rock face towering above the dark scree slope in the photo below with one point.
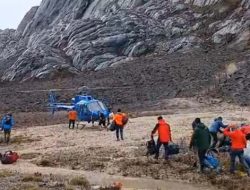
(78, 35)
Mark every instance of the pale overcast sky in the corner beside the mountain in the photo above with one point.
(13, 11)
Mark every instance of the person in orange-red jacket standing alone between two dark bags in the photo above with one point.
(164, 136)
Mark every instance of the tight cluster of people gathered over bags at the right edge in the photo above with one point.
(203, 136)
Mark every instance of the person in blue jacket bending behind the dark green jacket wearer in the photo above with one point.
(214, 129)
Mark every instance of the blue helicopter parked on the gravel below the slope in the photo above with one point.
(88, 108)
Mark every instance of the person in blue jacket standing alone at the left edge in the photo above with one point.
(7, 124)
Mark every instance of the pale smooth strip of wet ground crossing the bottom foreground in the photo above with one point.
(98, 178)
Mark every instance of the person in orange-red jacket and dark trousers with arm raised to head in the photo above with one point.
(239, 142)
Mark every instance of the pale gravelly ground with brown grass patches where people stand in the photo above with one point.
(59, 154)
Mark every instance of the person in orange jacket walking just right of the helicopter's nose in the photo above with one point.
(119, 124)
